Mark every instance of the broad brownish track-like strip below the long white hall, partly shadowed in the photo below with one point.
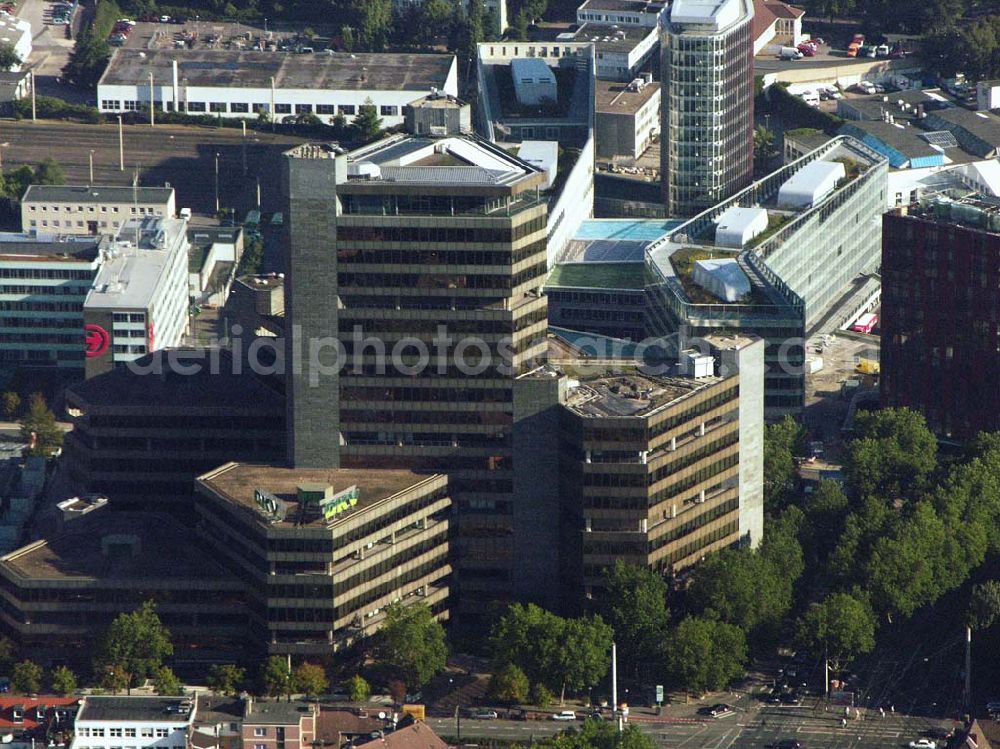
(183, 156)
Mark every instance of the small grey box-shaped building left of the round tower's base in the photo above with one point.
(626, 118)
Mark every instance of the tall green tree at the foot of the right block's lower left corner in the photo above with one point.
(634, 604)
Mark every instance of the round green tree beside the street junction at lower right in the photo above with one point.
(841, 625)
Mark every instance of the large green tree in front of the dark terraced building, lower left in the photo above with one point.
(134, 646)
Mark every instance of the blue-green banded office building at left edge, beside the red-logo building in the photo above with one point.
(44, 281)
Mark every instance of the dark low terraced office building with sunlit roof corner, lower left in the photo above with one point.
(60, 593)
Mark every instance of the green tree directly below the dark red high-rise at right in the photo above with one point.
(893, 456)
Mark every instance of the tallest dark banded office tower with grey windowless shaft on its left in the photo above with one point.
(423, 259)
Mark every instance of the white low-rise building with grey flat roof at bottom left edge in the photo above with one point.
(110, 722)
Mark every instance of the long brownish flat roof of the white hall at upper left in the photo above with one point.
(237, 69)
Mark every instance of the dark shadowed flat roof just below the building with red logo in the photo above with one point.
(178, 391)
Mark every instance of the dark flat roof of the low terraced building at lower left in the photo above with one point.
(76, 553)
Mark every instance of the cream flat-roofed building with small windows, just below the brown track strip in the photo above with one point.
(91, 209)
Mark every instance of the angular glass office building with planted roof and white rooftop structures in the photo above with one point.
(803, 271)
